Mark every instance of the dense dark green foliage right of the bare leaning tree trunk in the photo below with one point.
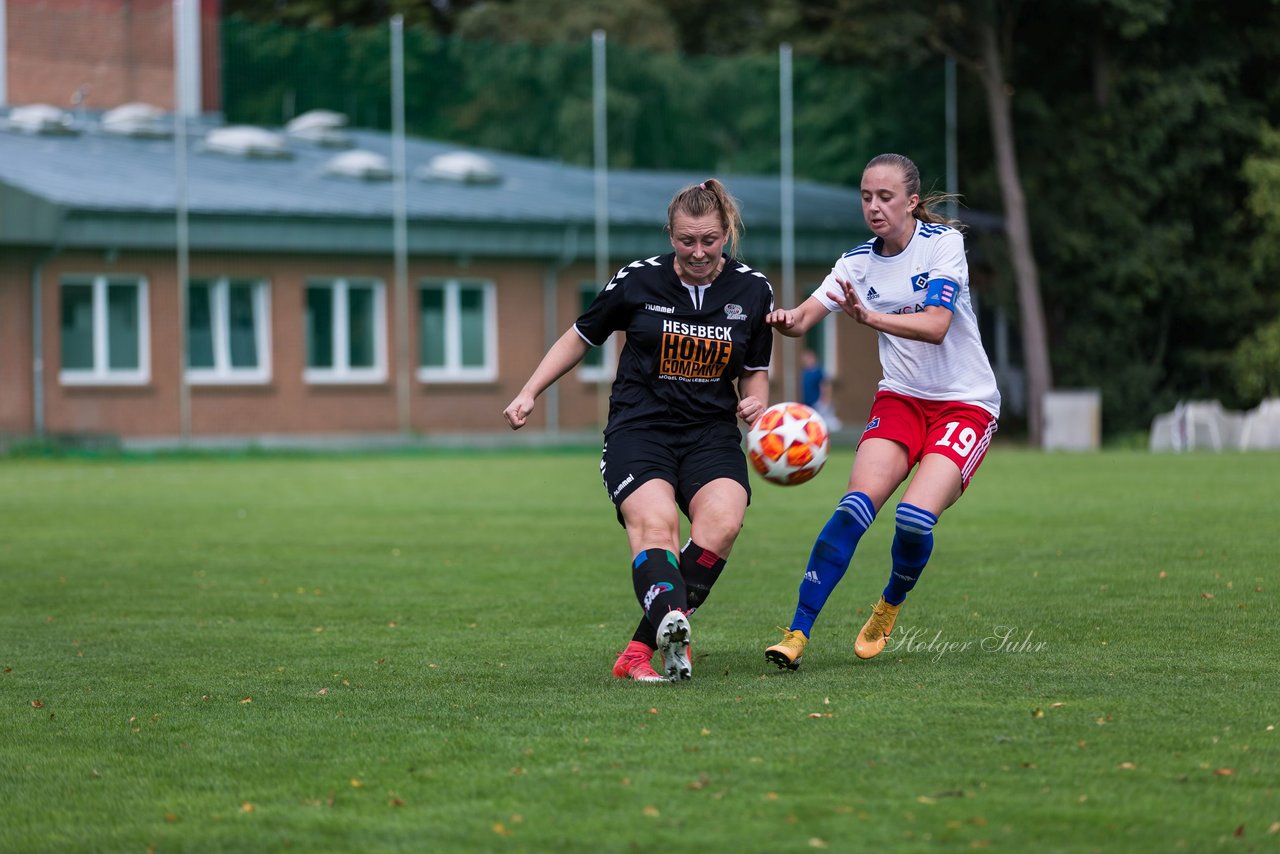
(1137, 136)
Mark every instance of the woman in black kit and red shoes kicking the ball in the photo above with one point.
(697, 358)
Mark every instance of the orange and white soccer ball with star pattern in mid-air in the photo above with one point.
(789, 444)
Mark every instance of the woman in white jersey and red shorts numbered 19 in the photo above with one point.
(935, 410)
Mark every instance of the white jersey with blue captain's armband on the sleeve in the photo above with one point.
(956, 371)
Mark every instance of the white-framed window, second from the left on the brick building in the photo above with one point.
(227, 331)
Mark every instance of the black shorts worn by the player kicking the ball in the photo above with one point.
(688, 460)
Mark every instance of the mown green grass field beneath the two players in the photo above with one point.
(360, 654)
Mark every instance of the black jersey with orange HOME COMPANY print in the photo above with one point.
(687, 345)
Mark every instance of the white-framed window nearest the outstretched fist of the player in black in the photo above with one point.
(458, 331)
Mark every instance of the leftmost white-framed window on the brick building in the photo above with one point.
(104, 331)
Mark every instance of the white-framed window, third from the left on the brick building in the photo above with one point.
(346, 331)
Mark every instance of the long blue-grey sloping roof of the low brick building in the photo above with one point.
(95, 189)
